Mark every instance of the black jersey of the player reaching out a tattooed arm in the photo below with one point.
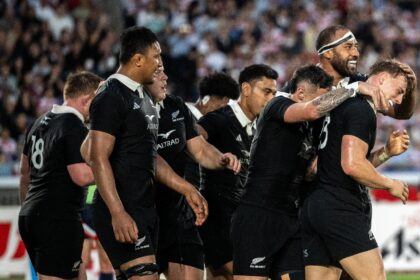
(276, 153)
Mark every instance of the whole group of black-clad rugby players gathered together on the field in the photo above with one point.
(250, 182)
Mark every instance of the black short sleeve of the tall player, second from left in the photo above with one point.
(107, 111)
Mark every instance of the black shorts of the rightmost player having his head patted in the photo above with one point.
(333, 230)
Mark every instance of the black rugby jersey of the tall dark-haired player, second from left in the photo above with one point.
(131, 117)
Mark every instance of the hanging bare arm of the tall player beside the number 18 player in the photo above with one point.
(101, 146)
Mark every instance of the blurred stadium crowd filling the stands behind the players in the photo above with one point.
(42, 41)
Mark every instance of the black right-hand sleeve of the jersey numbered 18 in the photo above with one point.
(72, 142)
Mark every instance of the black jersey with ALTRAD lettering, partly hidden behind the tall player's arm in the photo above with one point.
(176, 127)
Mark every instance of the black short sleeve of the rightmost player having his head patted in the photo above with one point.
(358, 120)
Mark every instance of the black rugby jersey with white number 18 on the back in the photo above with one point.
(51, 144)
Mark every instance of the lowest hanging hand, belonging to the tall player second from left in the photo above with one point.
(125, 228)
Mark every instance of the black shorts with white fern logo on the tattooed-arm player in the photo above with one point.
(265, 242)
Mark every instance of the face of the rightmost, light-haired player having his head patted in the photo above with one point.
(393, 87)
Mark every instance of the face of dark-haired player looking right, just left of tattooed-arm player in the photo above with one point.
(262, 91)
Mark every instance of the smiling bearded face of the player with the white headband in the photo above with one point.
(345, 56)
